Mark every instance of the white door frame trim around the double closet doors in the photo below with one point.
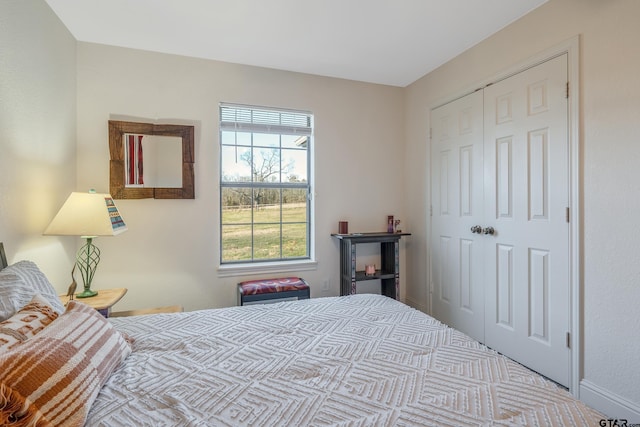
(571, 48)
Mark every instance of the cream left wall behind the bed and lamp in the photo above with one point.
(37, 133)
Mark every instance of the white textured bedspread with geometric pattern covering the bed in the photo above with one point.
(361, 360)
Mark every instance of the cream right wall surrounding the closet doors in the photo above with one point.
(610, 152)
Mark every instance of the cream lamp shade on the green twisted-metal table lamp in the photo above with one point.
(88, 215)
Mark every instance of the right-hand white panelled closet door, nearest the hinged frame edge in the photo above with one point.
(527, 280)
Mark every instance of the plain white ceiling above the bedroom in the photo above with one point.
(391, 42)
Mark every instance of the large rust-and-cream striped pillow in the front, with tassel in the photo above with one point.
(53, 378)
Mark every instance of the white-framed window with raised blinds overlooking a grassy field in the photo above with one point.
(264, 184)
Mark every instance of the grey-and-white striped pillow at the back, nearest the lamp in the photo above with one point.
(19, 282)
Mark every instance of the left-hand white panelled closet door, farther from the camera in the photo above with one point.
(457, 206)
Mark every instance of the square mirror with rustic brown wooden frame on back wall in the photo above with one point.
(172, 167)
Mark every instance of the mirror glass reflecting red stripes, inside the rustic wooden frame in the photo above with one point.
(152, 161)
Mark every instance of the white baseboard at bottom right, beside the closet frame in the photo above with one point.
(610, 404)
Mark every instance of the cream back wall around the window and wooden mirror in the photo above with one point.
(170, 253)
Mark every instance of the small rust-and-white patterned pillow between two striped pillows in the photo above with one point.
(28, 321)
